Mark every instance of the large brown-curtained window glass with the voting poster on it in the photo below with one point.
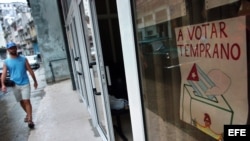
(193, 67)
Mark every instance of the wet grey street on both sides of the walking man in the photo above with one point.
(12, 125)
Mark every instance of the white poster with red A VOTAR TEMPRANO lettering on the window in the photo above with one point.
(213, 66)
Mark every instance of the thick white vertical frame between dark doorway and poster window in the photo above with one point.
(131, 71)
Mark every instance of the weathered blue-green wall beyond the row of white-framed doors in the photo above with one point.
(50, 38)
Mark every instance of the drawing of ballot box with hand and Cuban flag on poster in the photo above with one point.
(203, 100)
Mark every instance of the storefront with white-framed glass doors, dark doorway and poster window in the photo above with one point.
(182, 65)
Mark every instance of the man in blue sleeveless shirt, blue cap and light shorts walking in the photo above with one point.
(18, 65)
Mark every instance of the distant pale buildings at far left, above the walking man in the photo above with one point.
(17, 26)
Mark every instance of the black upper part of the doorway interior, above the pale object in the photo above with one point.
(111, 46)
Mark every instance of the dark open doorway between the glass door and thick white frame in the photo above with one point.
(109, 32)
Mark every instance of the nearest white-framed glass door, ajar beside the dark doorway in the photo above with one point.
(96, 70)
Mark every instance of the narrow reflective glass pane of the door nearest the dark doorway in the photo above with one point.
(91, 49)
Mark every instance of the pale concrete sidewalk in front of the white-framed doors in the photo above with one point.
(62, 117)
